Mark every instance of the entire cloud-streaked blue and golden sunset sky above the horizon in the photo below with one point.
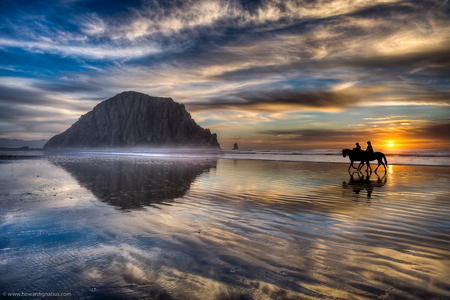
(265, 74)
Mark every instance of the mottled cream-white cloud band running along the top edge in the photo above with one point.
(176, 18)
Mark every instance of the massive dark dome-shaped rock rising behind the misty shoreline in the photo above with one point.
(135, 119)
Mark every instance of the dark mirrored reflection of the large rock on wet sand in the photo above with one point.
(129, 184)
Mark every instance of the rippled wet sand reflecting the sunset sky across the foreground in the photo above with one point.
(101, 227)
